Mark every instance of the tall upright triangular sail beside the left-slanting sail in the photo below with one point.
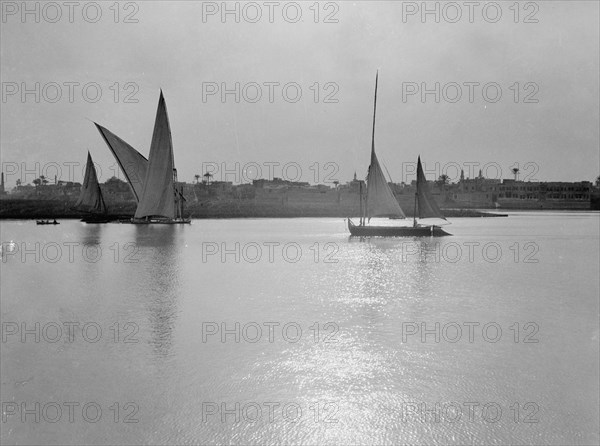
(158, 195)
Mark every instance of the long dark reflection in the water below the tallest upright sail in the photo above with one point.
(160, 249)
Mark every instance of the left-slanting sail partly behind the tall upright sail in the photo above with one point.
(133, 164)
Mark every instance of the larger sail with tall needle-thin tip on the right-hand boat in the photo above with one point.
(380, 198)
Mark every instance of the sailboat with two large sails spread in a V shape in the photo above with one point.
(153, 181)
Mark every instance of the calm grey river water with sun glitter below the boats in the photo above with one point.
(271, 331)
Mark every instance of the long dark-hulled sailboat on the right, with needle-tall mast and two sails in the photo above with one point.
(381, 202)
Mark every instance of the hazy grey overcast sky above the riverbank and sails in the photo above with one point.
(174, 47)
